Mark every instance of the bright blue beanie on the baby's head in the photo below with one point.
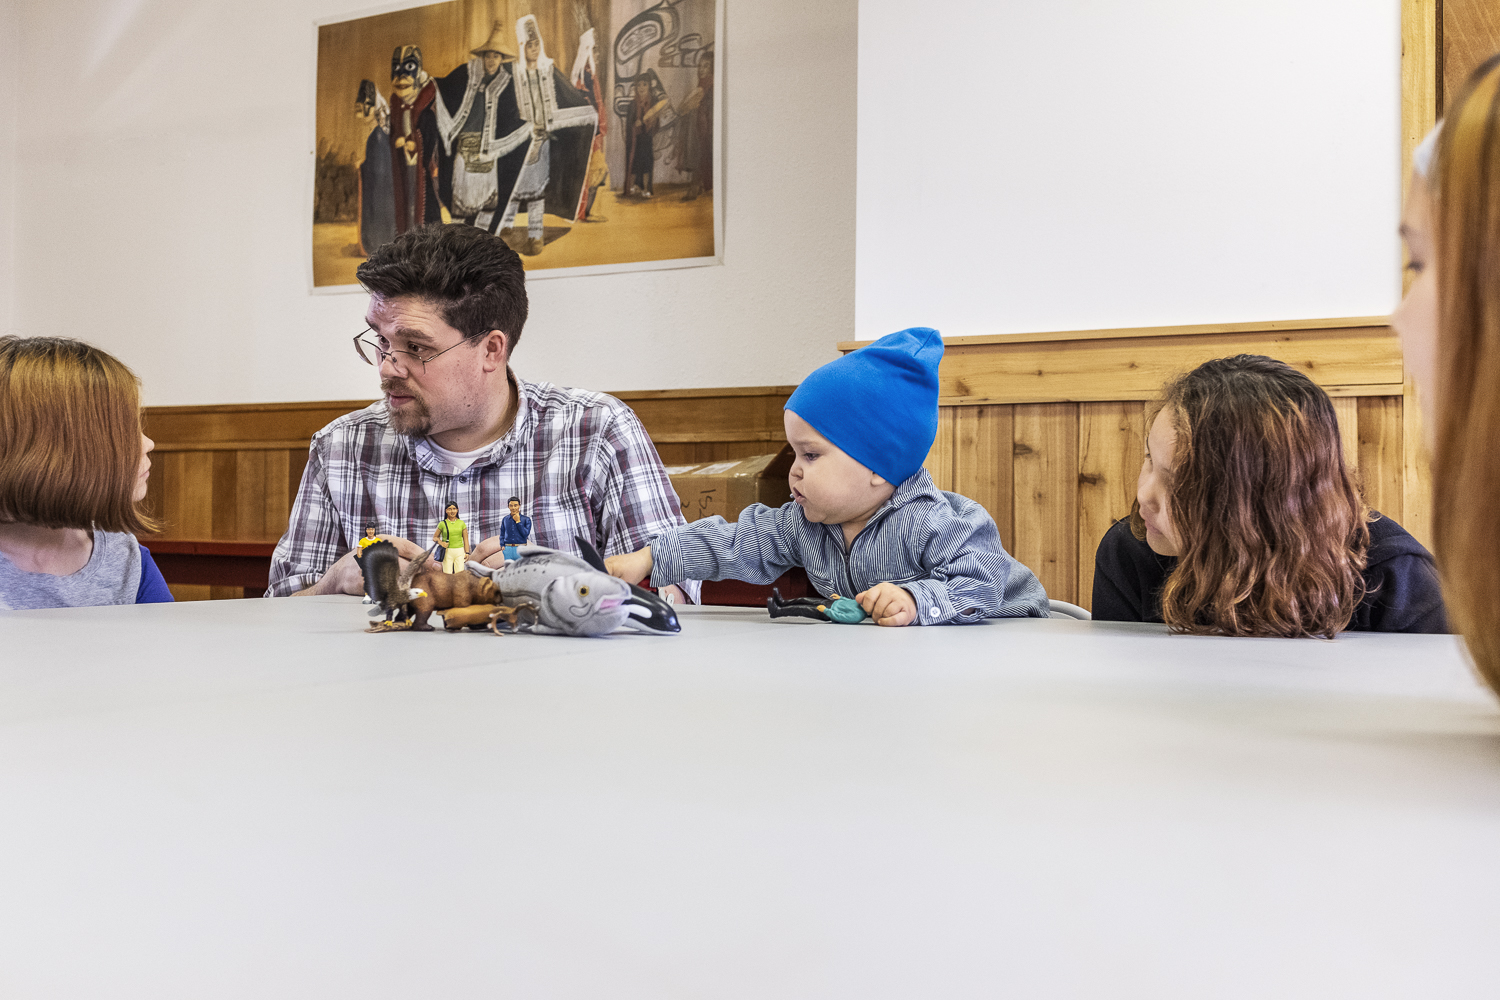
(878, 406)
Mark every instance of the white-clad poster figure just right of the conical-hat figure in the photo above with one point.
(563, 127)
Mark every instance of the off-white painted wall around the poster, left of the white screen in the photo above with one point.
(164, 175)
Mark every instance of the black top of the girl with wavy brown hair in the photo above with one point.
(1402, 591)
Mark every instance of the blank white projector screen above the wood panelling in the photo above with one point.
(1097, 164)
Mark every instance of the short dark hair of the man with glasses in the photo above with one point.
(473, 278)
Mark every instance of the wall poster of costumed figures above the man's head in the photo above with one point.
(515, 116)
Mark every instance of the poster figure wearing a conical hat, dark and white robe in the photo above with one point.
(482, 137)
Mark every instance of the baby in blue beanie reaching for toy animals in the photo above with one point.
(865, 519)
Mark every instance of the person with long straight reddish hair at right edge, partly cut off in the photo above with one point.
(1450, 326)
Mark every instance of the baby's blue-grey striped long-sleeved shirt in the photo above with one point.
(941, 548)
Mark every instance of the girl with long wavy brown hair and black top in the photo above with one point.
(1247, 521)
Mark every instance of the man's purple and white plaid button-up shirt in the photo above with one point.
(580, 461)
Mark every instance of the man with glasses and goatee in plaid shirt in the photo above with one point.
(448, 307)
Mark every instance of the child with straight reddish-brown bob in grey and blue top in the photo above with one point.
(73, 478)
